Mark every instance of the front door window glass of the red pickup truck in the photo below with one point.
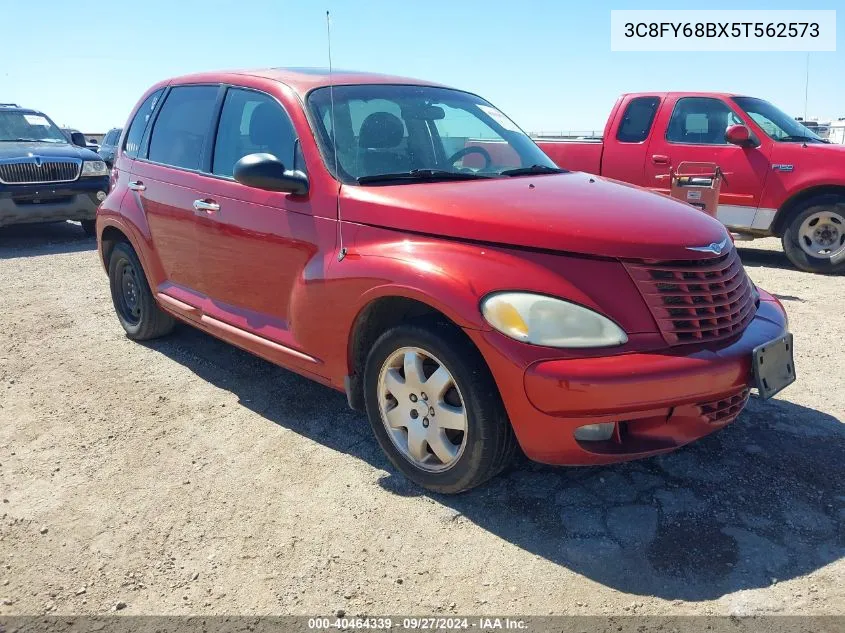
(700, 121)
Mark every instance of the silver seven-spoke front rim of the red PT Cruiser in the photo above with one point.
(422, 409)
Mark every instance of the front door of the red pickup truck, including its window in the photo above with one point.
(693, 129)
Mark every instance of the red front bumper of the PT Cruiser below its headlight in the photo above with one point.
(660, 400)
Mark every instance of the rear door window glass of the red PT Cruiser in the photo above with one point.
(180, 130)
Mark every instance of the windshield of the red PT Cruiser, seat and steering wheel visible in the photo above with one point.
(395, 134)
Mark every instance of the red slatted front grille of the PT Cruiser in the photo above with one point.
(697, 300)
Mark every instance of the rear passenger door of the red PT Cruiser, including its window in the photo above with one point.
(163, 180)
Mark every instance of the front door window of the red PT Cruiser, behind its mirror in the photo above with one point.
(252, 122)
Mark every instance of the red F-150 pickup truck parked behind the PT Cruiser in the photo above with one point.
(780, 178)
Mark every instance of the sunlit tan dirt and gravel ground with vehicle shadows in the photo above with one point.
(185, 476)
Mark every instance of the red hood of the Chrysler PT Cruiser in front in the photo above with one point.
(571, 212)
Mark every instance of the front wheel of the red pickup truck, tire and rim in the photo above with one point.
(814, 239)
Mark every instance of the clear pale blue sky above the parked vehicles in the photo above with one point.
(548, 64)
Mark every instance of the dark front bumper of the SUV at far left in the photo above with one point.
(23, 204)
